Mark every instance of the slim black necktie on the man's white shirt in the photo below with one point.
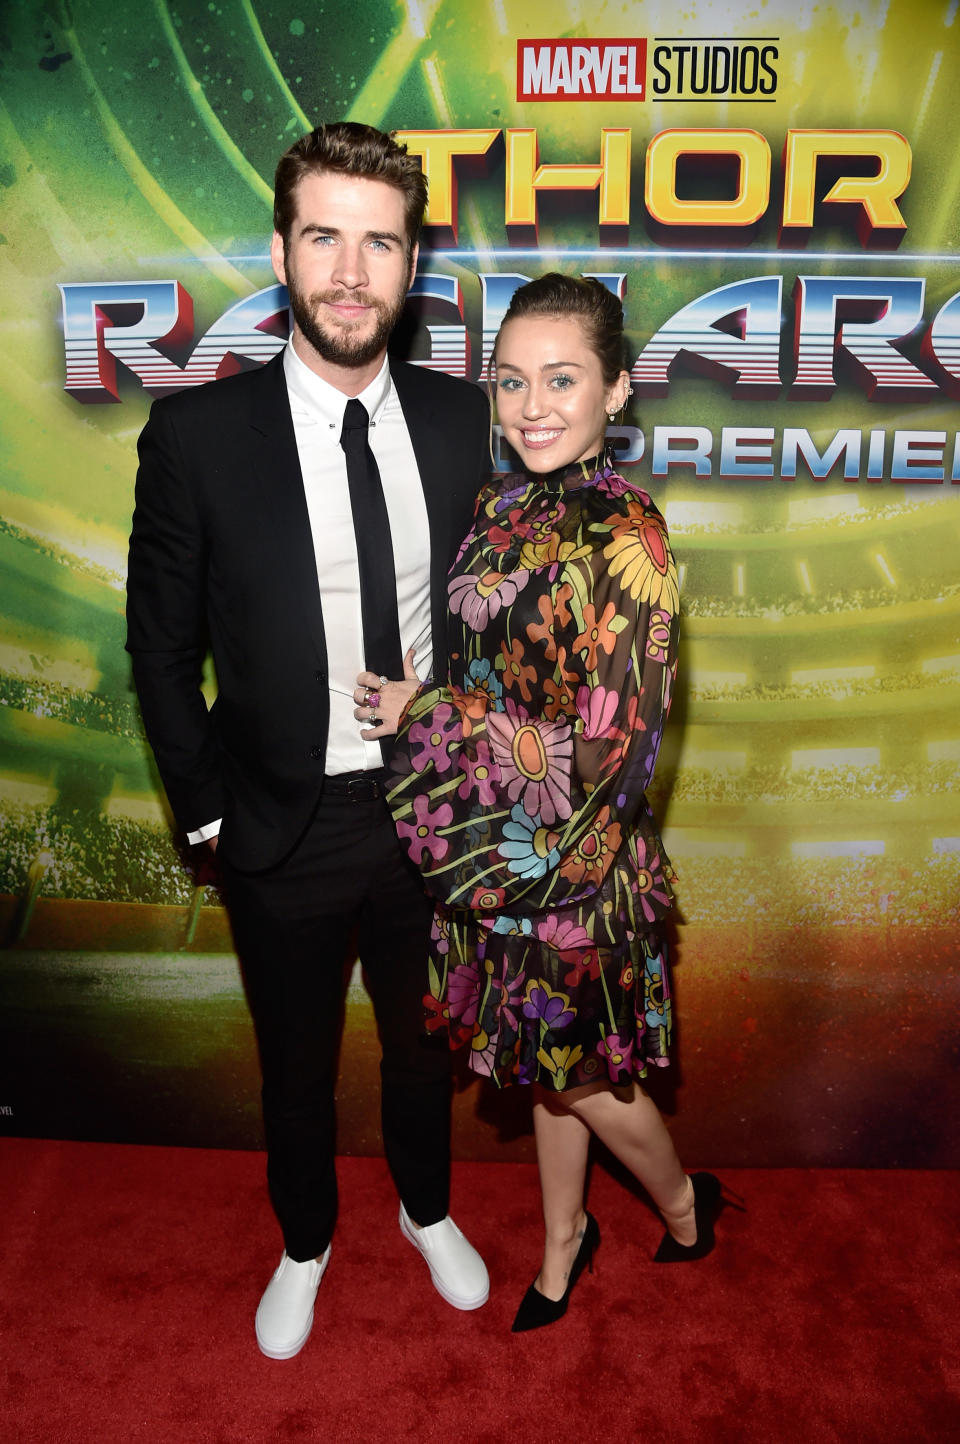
(375, 549)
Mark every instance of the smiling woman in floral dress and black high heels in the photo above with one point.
(519, 788)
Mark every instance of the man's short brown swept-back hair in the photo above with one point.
(350, 149)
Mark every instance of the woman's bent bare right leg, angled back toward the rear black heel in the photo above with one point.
(632, 1127)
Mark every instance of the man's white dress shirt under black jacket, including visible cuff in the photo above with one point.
(318, 421)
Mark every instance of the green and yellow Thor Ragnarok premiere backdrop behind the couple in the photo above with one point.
(776, 196)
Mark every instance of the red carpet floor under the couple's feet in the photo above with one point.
(131, 1279)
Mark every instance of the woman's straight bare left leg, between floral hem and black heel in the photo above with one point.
(562, 1147)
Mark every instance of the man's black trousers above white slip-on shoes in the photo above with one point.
(294, 928)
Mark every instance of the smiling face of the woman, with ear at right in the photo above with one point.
(552, 401)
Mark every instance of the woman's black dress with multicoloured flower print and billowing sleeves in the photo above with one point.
(519, 789)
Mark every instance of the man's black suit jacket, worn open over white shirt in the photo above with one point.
(222, 552)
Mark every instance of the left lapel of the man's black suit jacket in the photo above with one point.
(278, 463)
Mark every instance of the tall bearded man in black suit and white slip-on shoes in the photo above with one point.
(304, 518)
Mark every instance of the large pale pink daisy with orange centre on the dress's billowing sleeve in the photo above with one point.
(533, 756)
